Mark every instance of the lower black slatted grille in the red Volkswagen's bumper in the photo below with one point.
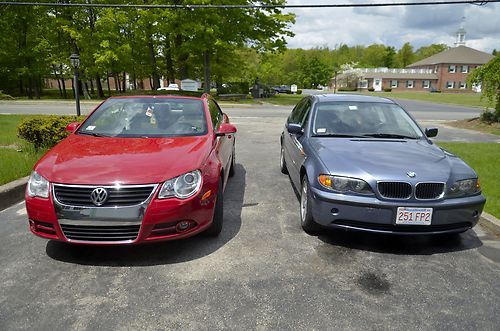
(101, 233)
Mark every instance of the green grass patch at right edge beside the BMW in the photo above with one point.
(484, 158)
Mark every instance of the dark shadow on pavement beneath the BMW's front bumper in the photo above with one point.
(401, 244)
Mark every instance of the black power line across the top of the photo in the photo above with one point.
(253, 6)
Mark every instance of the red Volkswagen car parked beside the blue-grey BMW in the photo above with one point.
(138, 169)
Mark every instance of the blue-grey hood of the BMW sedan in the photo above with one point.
(377, 159)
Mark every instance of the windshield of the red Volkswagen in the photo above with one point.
(147, 117)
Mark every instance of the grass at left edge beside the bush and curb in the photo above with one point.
(15, 164)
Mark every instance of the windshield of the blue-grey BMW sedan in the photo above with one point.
(364, 119)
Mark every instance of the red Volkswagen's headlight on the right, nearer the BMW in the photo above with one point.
(182, 187)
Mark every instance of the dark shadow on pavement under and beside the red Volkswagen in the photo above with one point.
(169, 252)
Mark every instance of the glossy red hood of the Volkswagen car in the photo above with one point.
(104, 161)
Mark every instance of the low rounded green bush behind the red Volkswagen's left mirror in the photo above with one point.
(45, 131)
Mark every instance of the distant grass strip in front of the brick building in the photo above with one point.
(464, 99)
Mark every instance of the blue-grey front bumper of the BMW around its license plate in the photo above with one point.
(370, 214)
